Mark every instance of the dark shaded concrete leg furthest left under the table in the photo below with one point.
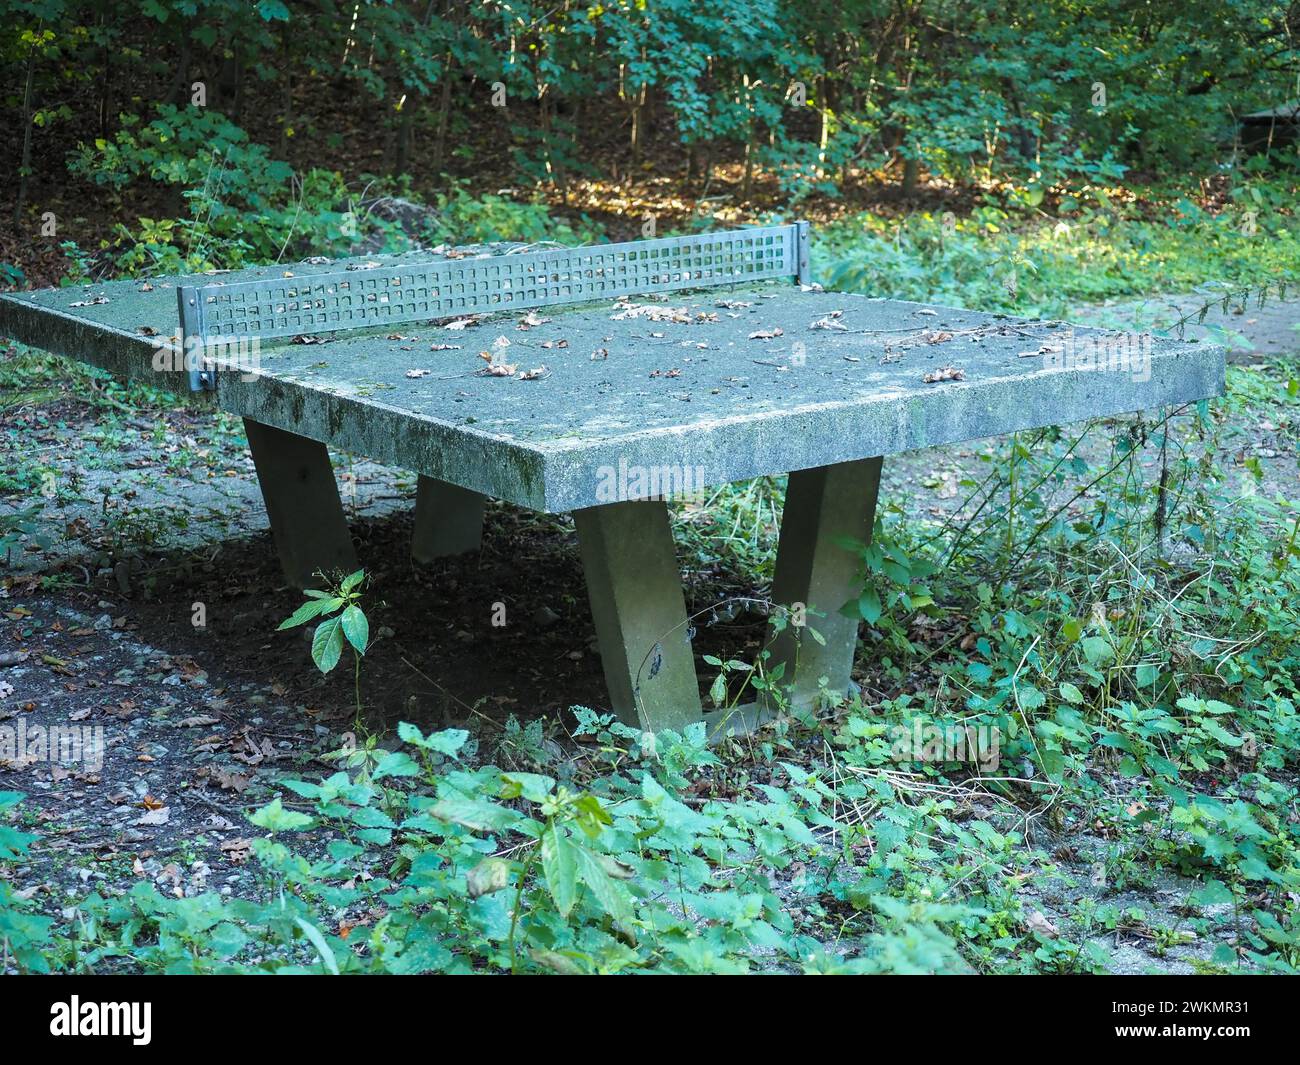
(302, 500)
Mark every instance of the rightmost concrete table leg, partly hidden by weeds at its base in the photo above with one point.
(824, 506)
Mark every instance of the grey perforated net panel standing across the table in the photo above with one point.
(359, 300)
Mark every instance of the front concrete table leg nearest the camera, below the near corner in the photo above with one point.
(640, 612)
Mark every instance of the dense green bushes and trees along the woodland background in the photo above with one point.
(1043, 92)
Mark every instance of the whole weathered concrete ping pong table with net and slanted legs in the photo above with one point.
(609, 389)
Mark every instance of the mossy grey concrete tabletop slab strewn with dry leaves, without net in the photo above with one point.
(727, 383)
